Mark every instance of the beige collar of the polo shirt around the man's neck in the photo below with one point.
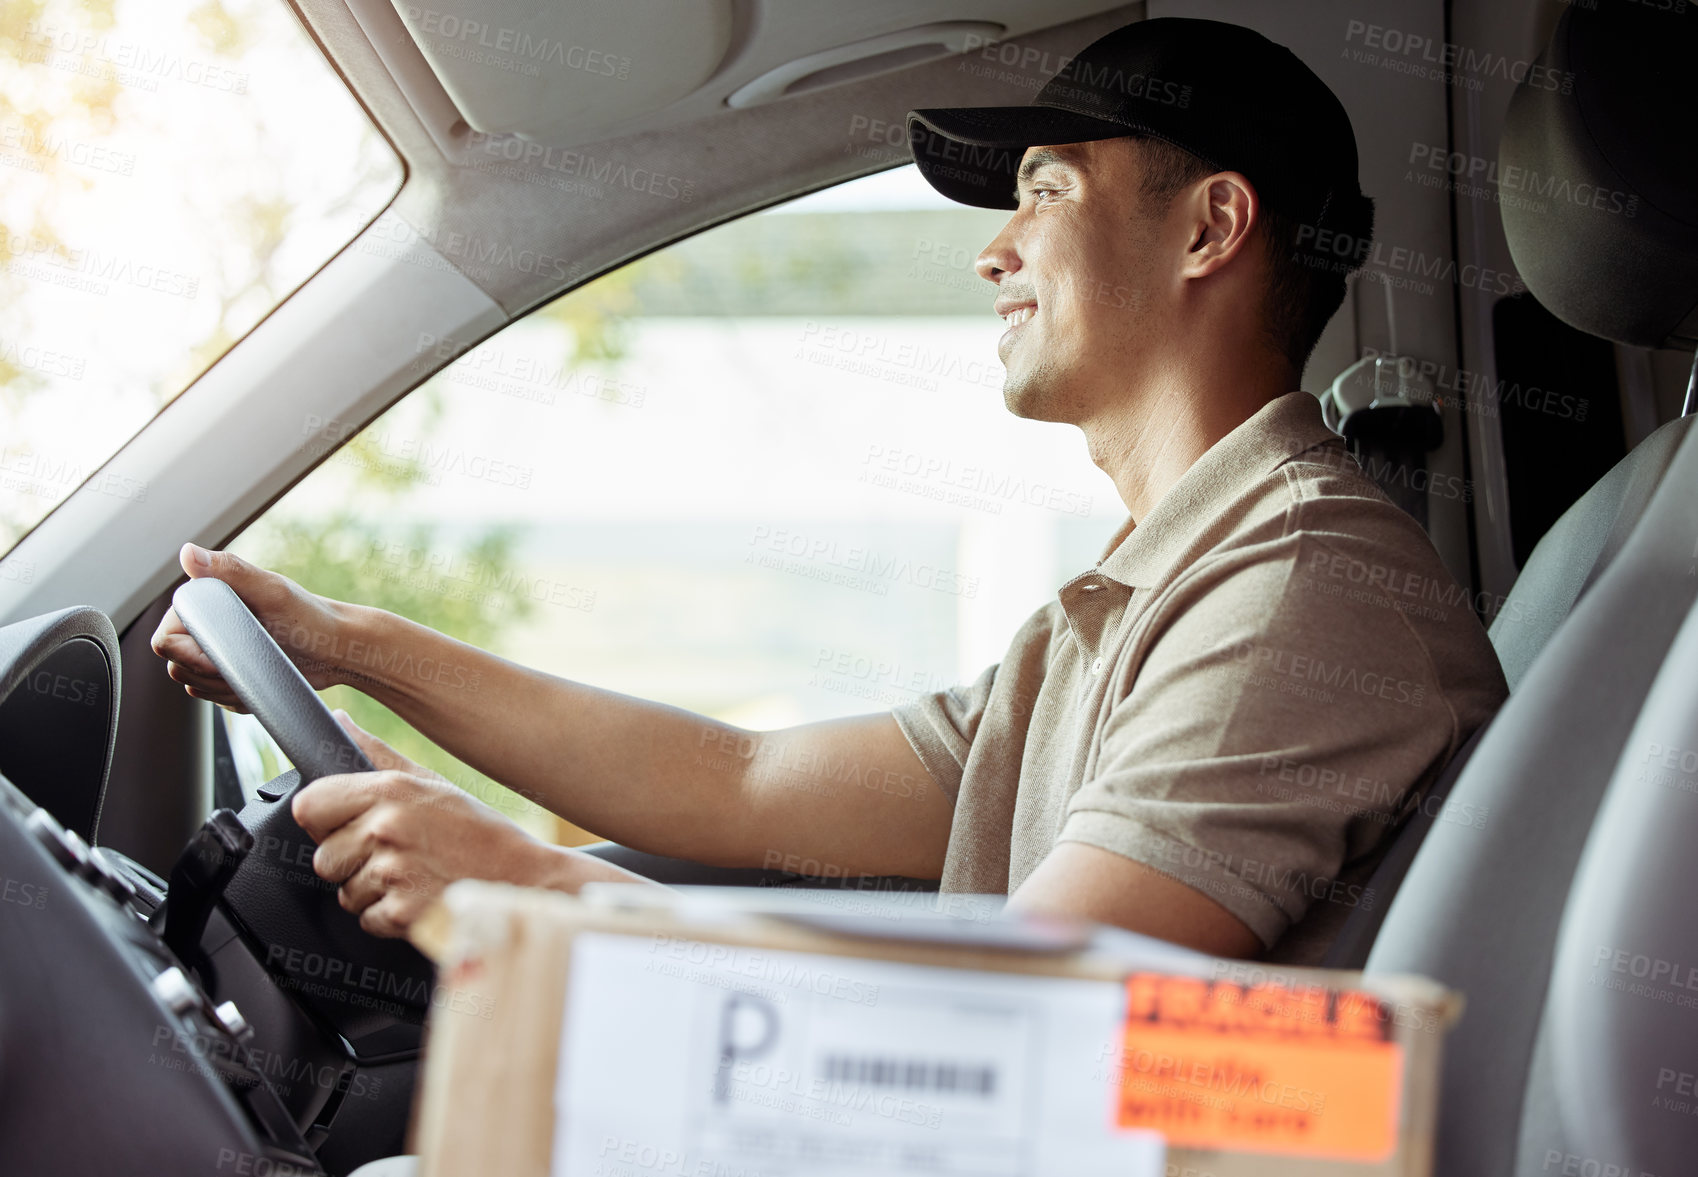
(1290, 425)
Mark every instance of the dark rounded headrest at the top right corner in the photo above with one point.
(1599, 172)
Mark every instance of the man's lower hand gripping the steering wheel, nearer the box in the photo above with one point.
(398, 836)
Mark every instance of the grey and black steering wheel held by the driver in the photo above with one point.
(364, 988)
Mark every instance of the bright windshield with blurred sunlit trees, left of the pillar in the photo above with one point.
(169, 172)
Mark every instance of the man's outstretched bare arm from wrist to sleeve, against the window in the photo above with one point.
(655, 777)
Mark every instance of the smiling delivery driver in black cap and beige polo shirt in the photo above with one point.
(1205, 736)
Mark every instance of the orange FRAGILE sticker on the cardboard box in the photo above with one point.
(1269, 1069)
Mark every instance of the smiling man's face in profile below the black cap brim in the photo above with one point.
(1079, 274)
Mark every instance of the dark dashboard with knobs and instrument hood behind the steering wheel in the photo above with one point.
(159, 1025)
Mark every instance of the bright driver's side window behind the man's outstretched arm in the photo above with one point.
(765, 475)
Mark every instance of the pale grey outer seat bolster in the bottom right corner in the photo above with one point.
(1621, 1025)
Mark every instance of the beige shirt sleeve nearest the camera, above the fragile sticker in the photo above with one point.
(1273, 735)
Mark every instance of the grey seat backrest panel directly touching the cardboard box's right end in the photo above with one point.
(1482, 903)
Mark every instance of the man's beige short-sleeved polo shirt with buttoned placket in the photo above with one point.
(1249, 689)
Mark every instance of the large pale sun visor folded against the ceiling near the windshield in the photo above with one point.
(563, 72)
